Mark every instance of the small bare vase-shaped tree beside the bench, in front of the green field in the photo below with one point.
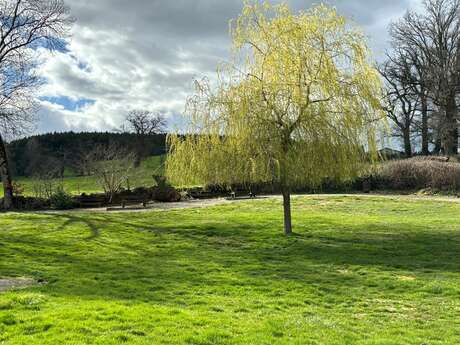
(112, 166)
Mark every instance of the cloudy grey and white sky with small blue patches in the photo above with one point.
(146, 53)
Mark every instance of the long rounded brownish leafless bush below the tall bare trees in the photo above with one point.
(419, 173)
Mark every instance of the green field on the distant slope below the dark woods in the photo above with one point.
(141, 176)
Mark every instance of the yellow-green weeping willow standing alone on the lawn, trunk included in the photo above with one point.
(299, 103)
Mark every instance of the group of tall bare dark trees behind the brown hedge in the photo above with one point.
(428, 45)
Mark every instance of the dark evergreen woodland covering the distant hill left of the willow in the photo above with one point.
(64, 151)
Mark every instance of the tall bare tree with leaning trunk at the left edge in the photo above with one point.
(25, 25)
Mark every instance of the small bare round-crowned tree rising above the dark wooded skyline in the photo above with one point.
(144, 123)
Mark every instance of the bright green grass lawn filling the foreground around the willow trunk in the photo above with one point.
(360, 270)
